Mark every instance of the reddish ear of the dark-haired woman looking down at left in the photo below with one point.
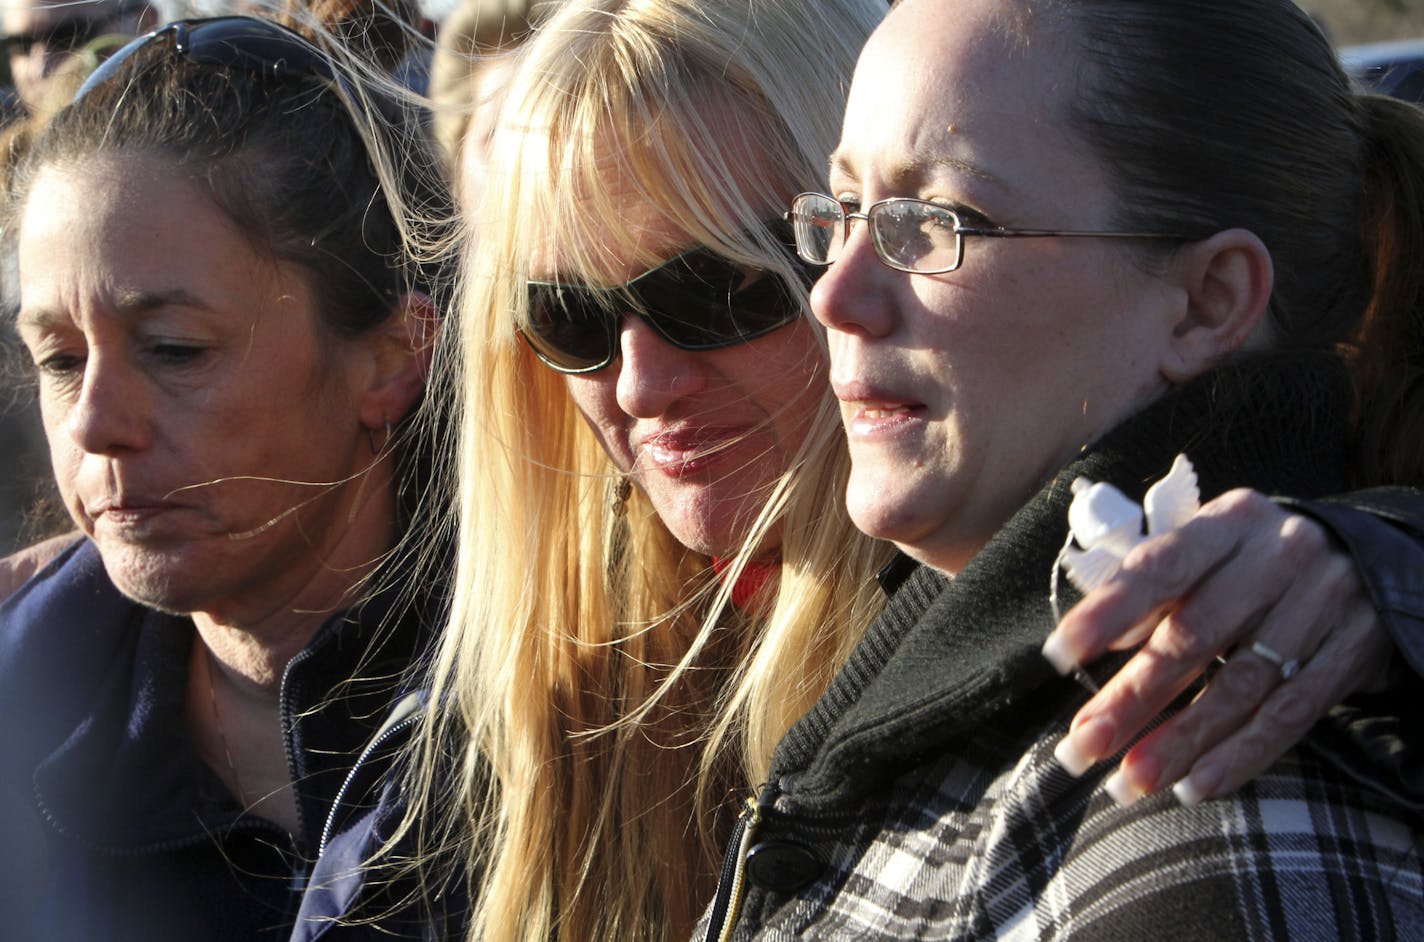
(401, 351)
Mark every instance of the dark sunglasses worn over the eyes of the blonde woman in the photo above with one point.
(697, 301)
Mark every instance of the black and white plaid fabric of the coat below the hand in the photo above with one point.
(976, 847)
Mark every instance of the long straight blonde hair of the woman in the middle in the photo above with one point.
(597, 694)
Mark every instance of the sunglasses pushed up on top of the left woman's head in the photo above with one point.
(236, 42)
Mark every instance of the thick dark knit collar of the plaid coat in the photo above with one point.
(946, 654)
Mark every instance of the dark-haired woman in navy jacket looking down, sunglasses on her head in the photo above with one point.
(230, 331)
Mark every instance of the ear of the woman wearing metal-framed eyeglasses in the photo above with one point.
(1228, 281)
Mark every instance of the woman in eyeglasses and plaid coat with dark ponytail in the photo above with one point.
(1062, 248)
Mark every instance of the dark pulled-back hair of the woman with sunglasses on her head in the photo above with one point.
(287, 160)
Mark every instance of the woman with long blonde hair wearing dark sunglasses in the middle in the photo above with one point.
(654, 574)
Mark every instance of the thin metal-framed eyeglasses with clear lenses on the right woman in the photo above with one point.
(911, 235)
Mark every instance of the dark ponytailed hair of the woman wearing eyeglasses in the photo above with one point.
(1217, 115)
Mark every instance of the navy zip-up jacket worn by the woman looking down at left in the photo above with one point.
(116, 829)
